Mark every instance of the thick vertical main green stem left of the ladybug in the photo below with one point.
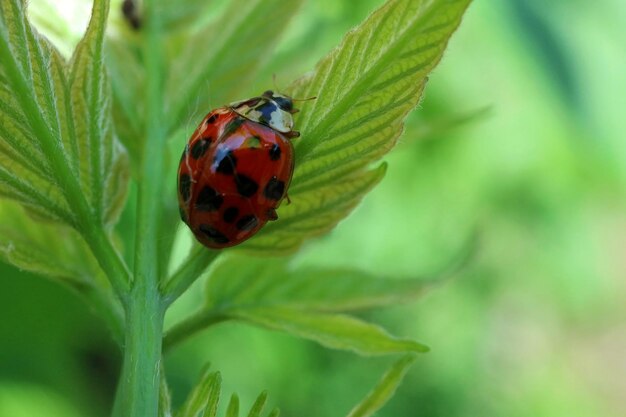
(138, 391)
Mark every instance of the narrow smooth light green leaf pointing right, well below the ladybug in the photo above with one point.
(334, 331)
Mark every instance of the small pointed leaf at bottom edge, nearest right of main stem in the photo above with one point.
(202, 401)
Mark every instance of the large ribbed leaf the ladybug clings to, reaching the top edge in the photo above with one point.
(364, 89)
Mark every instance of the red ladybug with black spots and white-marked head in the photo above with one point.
(236, 168)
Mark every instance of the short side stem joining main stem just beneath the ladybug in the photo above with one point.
(196, 263)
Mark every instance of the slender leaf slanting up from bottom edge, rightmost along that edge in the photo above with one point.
(385, 389)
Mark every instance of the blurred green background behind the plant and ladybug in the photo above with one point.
(519, 136)
